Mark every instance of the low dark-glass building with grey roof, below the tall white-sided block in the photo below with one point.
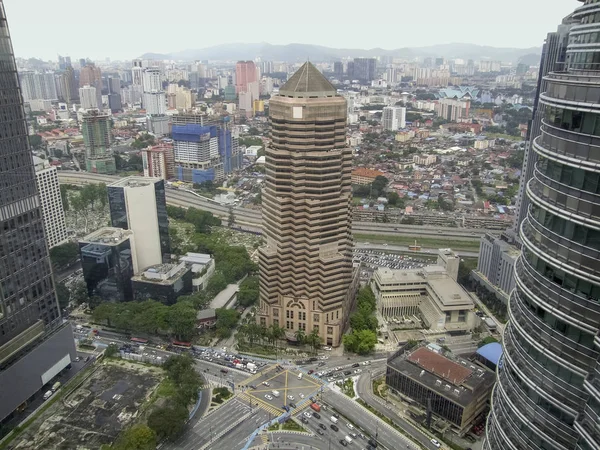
(163, 283)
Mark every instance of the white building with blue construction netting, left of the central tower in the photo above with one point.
(204, 149)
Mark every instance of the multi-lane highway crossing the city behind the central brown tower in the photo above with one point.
(253, 218)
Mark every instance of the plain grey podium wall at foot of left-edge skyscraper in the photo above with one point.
(24, 378)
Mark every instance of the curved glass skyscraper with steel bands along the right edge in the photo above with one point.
(547, 394)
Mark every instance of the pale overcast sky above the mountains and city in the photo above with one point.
(125, 29)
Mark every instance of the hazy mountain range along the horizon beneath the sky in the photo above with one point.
(302, 52)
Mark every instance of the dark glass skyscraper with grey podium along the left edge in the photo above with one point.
(35, 344)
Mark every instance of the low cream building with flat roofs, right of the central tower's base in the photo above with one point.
(429, 293)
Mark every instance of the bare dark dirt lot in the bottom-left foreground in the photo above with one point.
(96, 412)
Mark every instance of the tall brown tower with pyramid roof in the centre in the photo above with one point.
(306, 264)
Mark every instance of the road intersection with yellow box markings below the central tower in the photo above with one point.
(279, 388)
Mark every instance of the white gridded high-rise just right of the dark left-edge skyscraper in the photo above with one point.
(51, 201)
